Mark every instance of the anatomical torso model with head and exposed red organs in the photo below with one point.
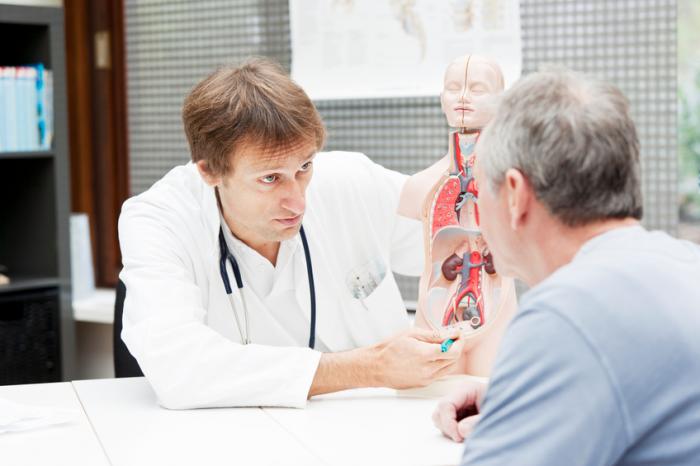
(459, 286)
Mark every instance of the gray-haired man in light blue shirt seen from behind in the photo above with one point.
(601, 363)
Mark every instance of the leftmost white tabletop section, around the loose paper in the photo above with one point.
(72, 443)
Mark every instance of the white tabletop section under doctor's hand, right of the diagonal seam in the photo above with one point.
(369, 427)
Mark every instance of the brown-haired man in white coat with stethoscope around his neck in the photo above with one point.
(261, 272)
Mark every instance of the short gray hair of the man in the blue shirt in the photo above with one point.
(572, 137)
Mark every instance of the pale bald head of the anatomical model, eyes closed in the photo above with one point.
(468, 95)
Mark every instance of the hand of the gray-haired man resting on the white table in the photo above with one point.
(456, 415)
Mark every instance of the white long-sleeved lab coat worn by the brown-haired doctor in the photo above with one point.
(178, 322)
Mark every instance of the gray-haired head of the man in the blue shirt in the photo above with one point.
(561, 151)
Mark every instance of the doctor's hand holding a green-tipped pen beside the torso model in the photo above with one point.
(413, 358)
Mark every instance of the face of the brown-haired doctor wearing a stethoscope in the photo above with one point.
(264, 198)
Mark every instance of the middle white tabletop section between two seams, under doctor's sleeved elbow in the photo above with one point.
(134, 430)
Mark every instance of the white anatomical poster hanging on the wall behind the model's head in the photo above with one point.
(396, 48)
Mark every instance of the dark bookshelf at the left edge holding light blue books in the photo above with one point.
(34, 212)
